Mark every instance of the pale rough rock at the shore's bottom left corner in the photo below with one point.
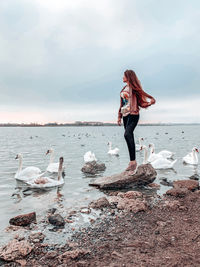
(15, 250)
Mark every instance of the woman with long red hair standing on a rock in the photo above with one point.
(132, 97)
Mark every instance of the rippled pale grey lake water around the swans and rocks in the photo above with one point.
(72, 143)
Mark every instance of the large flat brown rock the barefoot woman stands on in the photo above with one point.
(145, 174)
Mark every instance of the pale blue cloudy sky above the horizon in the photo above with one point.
(64, 60)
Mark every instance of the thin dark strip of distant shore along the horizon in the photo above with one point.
(80, 124)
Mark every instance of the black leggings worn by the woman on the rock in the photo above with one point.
(130, 122)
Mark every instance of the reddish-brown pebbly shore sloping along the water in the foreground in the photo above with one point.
(165, 232)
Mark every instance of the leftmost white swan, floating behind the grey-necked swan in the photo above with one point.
(27, 173)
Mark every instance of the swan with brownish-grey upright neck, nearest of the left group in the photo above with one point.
(46, 182)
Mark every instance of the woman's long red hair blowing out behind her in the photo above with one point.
(136, 86)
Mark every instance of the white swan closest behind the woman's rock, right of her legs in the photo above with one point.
(159, 163)
